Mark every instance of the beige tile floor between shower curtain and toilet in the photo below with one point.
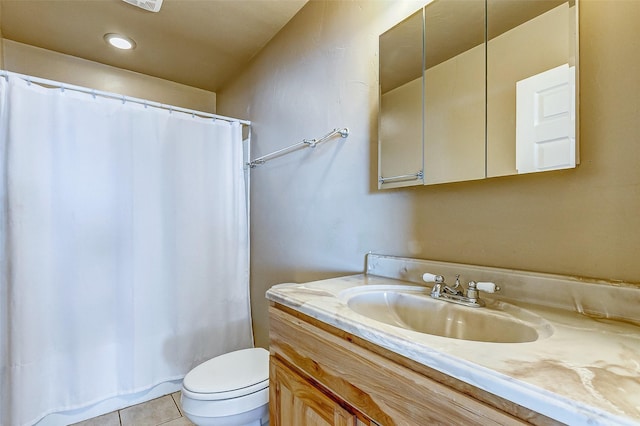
(165, 411)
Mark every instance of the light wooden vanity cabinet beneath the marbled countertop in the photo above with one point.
(321, 375)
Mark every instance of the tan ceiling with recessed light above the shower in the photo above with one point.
(200, 43)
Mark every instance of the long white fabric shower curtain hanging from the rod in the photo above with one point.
(124, 247)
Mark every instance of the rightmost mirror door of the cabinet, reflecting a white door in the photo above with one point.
(531, 91)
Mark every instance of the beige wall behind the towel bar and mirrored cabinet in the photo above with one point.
(315, 213)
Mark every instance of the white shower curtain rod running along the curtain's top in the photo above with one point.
(94, 92)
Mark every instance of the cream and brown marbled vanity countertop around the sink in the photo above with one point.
(586, 372)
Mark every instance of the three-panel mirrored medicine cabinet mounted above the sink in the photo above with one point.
(472, 89)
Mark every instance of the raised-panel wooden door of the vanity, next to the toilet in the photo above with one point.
(294, 401)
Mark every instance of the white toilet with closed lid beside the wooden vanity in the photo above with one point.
(229, 390)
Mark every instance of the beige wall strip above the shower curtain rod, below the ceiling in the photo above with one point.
(25, 59)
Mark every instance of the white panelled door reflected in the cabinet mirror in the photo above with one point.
(545, 121)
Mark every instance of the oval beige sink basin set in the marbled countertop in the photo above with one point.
(412, 308)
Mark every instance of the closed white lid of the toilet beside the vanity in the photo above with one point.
(234, 373)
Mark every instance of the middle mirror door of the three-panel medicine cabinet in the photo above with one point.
(454, 91)
